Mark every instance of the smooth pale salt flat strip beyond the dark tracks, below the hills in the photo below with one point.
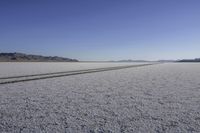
(25, 68)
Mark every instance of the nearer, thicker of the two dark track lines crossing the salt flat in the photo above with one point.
(76, 73)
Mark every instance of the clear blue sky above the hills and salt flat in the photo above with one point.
(102, 29)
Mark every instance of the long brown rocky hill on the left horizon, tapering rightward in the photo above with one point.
(21, 57)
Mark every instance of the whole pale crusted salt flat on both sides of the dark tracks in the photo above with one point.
(156, 98)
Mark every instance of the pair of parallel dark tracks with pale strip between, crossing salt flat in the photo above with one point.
(23, 78)
